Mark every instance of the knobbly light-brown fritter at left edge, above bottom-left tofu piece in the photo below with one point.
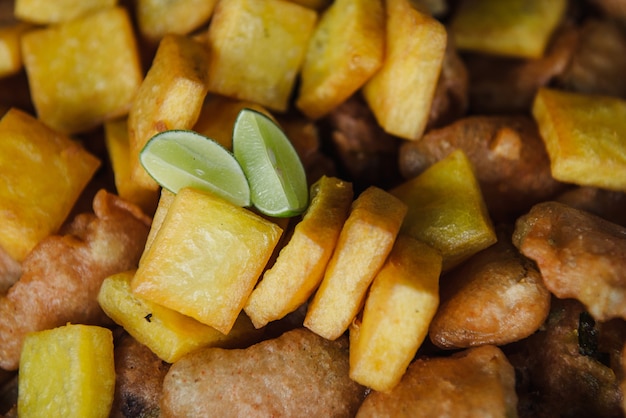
(62, 275)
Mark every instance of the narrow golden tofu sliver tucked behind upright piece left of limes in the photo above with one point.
(118, 148)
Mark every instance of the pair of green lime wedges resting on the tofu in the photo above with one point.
(263, 170)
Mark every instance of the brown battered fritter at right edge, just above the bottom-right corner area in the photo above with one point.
(580, 256)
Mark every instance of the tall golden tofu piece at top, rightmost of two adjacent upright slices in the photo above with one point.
(400, 94)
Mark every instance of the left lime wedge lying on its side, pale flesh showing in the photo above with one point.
(181, 158)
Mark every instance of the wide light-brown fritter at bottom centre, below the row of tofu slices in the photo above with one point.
(296, 374)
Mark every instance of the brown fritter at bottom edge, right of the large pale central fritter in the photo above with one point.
(479, 381)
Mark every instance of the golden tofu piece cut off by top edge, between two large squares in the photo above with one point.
(157, 18)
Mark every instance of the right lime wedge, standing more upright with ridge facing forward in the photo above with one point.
(278, 185)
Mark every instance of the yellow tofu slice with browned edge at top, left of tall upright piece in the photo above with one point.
(346, 49)
